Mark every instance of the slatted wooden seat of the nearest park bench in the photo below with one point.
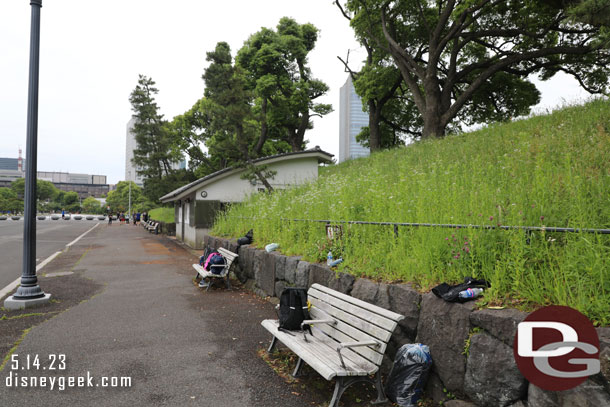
(319, 355)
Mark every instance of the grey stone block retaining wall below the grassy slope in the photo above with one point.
(472, 350)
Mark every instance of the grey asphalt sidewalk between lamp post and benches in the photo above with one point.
(140, 316)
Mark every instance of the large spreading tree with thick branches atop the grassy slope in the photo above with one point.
(469, 60)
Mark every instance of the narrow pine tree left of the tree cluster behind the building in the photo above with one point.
(153, 155)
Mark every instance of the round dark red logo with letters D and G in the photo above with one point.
(556, 348)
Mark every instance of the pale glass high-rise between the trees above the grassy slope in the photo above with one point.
(351, 120)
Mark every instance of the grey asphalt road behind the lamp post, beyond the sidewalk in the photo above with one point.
(51, 236)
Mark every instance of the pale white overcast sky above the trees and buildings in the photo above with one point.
(92, 52)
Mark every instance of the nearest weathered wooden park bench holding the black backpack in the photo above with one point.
(347, 340)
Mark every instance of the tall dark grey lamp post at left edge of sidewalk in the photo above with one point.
(29, 292)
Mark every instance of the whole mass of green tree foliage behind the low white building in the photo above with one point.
(261, 103)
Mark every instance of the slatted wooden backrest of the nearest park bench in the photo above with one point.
(357, 320)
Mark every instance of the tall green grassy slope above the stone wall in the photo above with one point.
(548, 170)
